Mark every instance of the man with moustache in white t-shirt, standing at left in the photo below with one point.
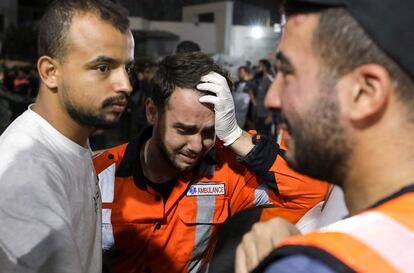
(50, 202)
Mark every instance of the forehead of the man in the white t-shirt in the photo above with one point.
(90, 36)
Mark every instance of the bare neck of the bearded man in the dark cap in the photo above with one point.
(381, 166)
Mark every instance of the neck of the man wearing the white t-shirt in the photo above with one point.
(53, 113)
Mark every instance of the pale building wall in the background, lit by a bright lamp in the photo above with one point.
(232, 42)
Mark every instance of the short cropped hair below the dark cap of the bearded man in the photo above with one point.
(342, 45)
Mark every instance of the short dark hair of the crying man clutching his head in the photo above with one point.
(182, 70)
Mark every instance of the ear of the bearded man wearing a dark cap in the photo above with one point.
(370, 93)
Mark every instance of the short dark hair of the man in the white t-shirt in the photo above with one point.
(56, 21)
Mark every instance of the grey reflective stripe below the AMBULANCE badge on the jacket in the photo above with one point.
(205, 214)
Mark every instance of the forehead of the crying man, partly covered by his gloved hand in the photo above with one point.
(183, 106)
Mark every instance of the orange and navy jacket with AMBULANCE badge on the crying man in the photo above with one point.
(143, 233)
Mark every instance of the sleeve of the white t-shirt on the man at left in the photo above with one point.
(35, 232)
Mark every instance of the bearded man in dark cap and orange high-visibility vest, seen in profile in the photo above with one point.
(346, 90)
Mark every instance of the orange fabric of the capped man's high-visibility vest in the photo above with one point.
(352, 251)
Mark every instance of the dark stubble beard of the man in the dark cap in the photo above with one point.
(321, 149)
